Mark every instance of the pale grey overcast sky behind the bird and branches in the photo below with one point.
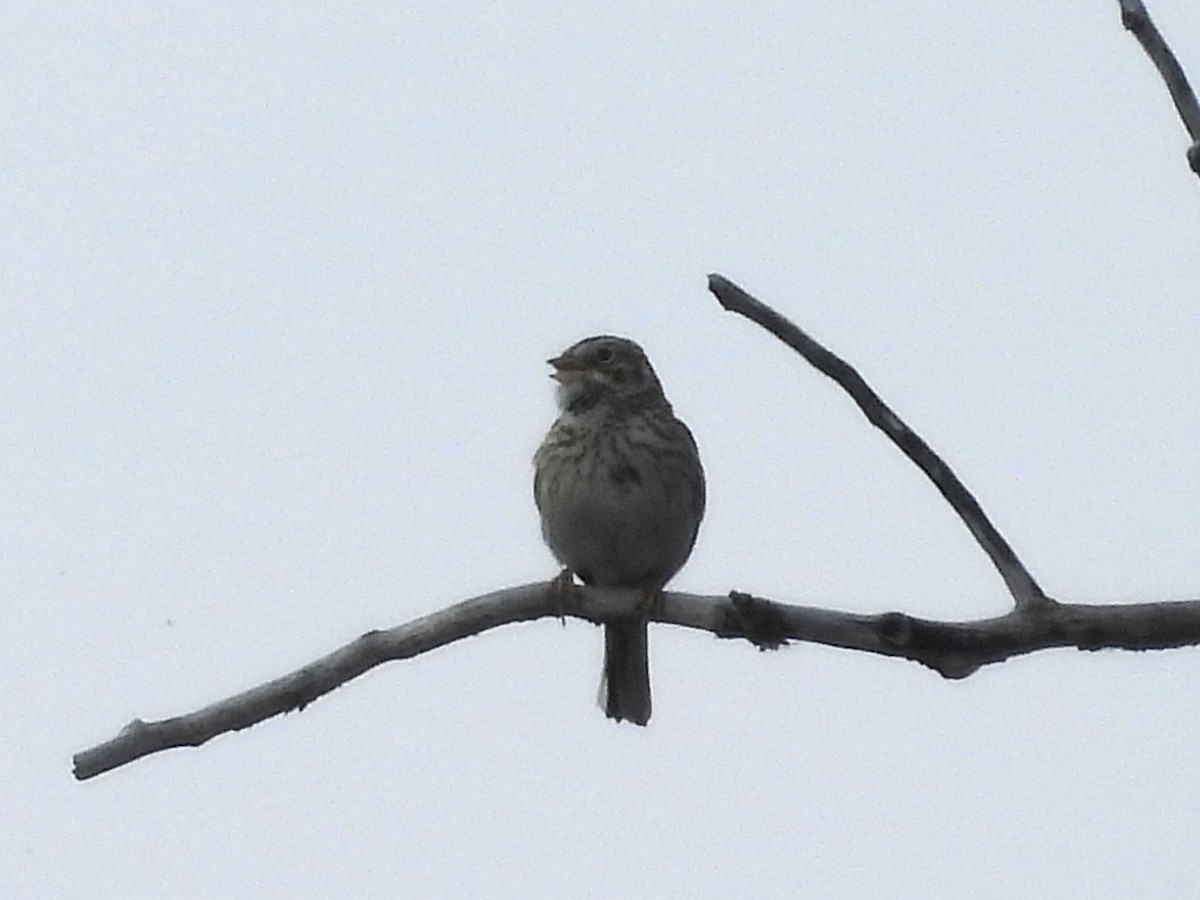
(279, 286)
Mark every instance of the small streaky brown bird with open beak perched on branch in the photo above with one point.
(621, 493)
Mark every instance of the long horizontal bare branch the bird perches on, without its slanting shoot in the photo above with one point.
(953, 650)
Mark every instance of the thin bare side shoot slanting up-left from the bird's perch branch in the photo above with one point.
(1025, 591)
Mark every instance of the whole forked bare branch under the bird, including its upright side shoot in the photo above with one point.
(955, 650)
